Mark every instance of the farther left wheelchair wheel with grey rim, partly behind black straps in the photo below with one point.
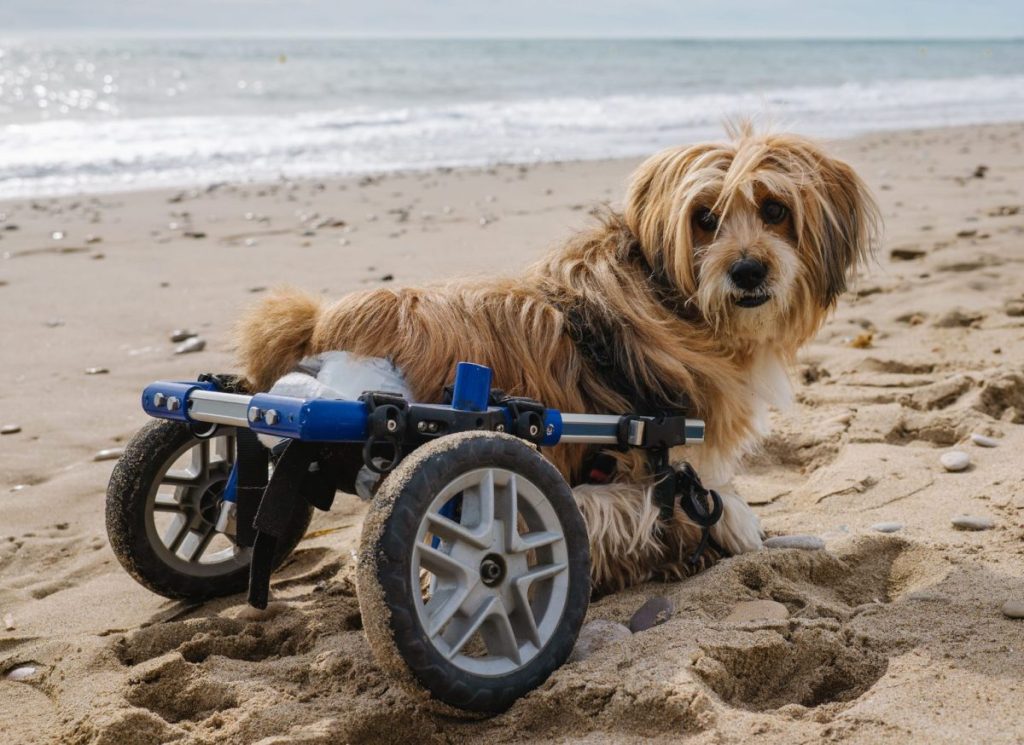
(162, 507)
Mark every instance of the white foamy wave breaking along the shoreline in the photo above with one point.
(70, 156)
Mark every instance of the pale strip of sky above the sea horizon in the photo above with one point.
(680, 19)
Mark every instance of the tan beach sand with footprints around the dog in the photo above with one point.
(892, 637)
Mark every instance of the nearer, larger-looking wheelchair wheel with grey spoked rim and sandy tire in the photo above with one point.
(475, 572)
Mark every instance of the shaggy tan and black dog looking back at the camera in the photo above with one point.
(728, 258)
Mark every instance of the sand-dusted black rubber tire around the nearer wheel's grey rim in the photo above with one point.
(386, 588)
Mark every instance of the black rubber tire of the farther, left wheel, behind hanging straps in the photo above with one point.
(146, 459)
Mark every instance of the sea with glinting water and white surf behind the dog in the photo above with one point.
(95, 115)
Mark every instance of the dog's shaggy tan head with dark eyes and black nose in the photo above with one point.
(760, 234)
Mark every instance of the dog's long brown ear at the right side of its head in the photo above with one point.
(844, 226)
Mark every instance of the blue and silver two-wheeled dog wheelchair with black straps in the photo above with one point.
(474, 573)
